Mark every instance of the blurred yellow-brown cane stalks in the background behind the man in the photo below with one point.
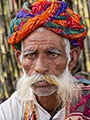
(10, 71)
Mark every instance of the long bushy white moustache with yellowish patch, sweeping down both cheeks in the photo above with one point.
(65, 83)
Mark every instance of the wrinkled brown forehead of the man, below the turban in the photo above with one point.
(43, 37)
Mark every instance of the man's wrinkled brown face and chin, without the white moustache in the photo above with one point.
(44, 53)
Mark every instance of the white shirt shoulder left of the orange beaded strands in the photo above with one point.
(12, 108)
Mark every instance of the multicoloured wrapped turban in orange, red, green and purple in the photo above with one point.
(55, 16)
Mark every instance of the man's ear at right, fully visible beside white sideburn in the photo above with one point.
(74, 53)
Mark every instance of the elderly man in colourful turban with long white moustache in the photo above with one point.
(47, 37)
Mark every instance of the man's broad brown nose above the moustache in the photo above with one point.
(41, 65)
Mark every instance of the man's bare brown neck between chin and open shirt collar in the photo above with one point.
(49, 103)
